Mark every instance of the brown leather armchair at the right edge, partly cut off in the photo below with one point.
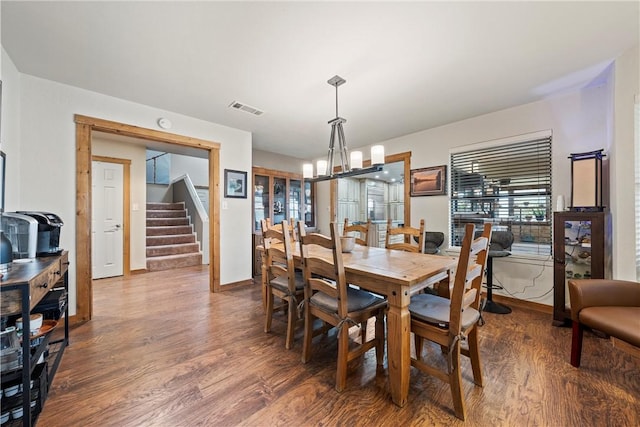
(609, 306)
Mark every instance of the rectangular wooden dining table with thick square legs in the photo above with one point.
(396, 275)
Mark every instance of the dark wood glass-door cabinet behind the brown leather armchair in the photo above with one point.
(581, 250)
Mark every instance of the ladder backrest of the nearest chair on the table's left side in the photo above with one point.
(317, 269)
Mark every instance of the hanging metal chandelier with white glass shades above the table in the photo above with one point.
(351, 164)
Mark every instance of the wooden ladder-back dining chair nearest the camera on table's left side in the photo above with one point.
(328, 297)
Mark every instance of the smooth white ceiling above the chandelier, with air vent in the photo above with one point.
(409, 66)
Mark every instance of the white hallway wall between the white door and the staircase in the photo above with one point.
(137, 155)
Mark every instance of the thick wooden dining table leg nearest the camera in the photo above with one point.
(398, 345)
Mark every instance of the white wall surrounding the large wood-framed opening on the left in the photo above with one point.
(42, 162)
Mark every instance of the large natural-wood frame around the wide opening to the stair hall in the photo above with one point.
(85, 126)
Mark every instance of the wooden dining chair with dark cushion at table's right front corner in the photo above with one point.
(452, 322)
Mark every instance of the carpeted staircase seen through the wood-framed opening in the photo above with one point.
(171, 242)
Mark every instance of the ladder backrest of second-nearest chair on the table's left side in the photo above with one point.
(279, 262)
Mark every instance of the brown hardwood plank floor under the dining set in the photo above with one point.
(162, 351)
